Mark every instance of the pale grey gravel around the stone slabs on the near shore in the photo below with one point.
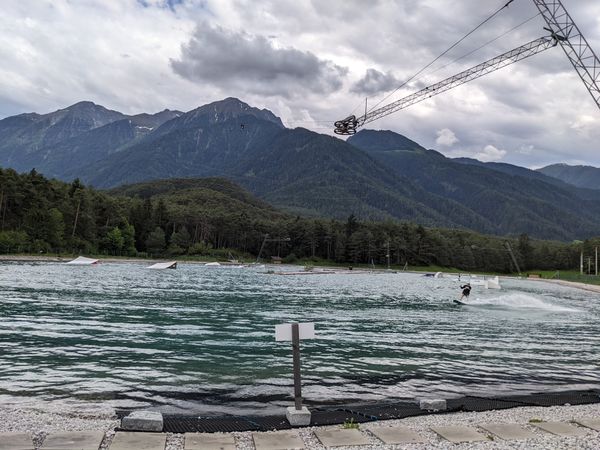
(40, 423)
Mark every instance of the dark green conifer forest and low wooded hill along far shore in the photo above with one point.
(218, 219)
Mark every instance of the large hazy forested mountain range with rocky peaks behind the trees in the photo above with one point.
(376, 175)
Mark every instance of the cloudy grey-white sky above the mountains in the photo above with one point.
(311, 62)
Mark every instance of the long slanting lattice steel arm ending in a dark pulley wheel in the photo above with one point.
(350, 124)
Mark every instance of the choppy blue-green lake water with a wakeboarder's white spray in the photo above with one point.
(201, 339)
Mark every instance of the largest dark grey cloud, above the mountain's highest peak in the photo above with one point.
(229, 59)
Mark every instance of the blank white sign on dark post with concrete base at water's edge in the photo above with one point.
(294, 332)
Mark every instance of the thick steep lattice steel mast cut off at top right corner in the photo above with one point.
(576, 47)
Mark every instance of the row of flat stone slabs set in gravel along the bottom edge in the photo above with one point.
(541, 435)
